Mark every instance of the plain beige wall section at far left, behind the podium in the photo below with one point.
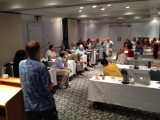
(10, 37)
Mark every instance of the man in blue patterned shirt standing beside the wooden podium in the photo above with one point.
(36, 86)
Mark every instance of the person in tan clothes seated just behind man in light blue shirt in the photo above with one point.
(79, 62)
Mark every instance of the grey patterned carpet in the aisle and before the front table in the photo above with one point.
(72, 104)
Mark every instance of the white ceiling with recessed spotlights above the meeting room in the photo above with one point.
(139, 9)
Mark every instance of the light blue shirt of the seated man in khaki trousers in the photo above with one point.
(59, 63)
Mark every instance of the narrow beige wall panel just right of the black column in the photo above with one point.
(72, 30)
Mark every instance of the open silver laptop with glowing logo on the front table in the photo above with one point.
(142, 78)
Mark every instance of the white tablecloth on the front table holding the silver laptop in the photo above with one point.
(134, 96)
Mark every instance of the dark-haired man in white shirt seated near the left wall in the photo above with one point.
(50, 54)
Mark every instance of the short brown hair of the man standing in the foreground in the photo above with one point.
(32, 47)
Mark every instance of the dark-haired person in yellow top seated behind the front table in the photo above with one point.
(110, 69)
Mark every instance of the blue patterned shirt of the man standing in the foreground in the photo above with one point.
(35, 79)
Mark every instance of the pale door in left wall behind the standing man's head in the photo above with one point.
(36, 32)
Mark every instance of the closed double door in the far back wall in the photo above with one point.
(118, 34)
